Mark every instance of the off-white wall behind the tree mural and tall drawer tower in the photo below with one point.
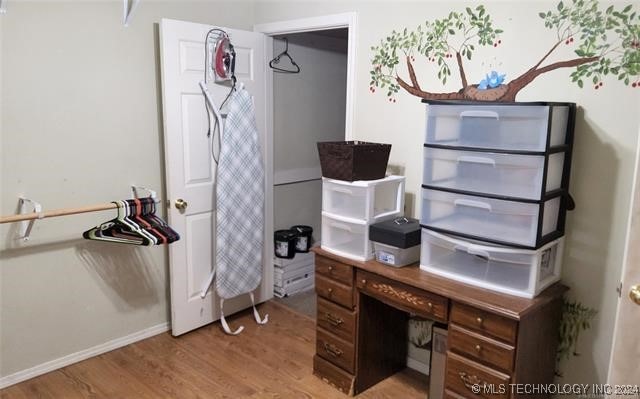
(605, 144)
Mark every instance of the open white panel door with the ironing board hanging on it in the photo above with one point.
(190, 170)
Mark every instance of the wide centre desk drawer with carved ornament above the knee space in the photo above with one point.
(404, 297)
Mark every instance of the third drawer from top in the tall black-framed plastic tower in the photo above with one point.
(523, 224)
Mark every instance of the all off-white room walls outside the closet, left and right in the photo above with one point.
(69, 102)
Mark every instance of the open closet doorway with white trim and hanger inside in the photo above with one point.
(312, 102)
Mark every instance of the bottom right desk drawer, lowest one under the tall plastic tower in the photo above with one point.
(462, 374)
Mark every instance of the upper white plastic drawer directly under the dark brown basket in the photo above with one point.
(365, 200)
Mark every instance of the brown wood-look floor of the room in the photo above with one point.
(270, 361)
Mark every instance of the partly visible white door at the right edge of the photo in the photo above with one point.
(624, 368)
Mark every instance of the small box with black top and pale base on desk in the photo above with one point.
(396, 242)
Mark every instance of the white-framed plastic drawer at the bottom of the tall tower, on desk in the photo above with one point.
(518, 272)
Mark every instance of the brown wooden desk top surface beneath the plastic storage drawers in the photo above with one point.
(506, 305)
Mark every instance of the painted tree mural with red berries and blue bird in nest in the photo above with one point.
(607, 42)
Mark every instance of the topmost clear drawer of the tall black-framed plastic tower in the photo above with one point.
(502, 126)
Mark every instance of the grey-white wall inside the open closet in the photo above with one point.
(308, 107)
